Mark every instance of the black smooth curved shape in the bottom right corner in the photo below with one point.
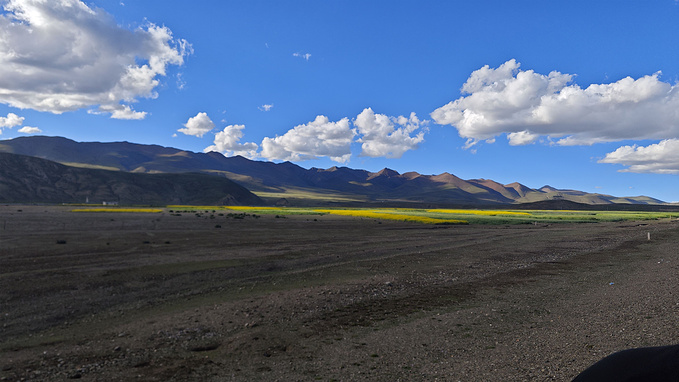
(658, 364)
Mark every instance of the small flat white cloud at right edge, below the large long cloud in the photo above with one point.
(660, 158)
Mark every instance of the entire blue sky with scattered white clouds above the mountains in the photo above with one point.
(574, 94)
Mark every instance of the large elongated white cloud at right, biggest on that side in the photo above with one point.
(526, 105)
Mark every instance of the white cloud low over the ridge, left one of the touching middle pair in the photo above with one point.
(319, 138)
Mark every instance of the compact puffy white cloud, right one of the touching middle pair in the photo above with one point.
(382, 138)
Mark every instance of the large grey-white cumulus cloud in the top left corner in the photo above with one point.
(59, 56)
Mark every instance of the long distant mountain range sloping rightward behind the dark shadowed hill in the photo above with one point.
(287, 183)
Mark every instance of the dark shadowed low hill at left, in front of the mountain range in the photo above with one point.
(25, 179)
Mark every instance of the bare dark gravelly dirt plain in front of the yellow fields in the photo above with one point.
(209, 297)
